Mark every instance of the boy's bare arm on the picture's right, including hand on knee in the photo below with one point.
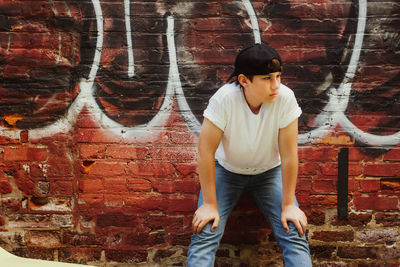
(288, 152)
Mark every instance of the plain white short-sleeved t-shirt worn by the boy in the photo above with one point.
(249, 144)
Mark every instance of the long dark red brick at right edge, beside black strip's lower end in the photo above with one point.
(375, 203)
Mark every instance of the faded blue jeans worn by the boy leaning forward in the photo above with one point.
(266, 189)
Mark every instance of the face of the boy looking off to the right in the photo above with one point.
(264, 88)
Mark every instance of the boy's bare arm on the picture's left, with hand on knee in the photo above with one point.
(210, 137)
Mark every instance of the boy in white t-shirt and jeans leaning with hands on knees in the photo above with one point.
(248, 142)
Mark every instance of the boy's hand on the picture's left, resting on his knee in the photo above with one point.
(204, 214)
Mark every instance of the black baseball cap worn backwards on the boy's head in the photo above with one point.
(256, 60)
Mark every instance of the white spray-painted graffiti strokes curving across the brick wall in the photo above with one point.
(333, 113)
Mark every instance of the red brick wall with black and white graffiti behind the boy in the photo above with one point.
(101, 104)
